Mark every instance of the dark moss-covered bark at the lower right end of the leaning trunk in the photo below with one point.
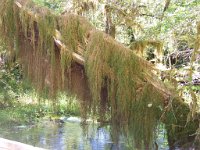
(179, 128)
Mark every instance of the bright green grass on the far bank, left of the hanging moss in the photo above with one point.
(29, 108)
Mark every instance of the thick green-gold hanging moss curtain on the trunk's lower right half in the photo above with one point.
(129, 92)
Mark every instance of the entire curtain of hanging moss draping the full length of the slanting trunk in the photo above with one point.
(123, 87)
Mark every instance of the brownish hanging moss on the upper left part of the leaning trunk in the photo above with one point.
(38, 26)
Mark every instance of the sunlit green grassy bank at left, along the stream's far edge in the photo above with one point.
(33, 112)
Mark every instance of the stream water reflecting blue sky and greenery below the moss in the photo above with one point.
(71, 136)
